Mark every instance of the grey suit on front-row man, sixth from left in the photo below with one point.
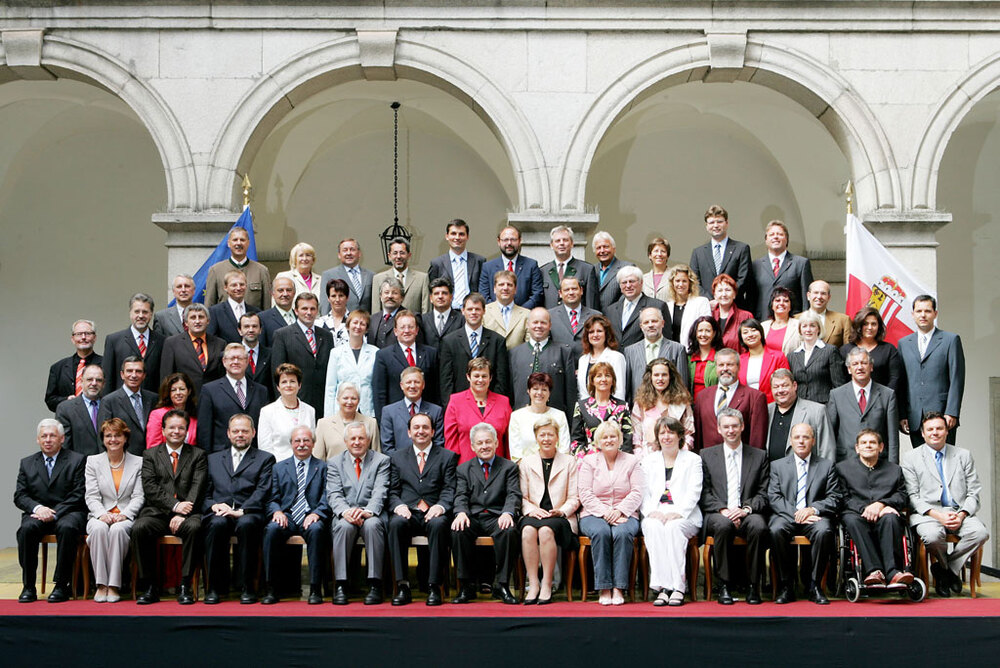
(345, 491)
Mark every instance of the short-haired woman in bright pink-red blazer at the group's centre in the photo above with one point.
(474, 405)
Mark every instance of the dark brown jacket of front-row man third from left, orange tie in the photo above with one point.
(163, 488)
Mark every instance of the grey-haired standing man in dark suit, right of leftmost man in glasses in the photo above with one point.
(138, 340)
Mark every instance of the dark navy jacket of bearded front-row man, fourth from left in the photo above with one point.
(248, 488)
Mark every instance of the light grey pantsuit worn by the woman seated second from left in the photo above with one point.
(109, 543)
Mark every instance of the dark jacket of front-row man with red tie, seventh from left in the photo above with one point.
(435, 486)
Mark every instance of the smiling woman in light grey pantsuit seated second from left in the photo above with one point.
(114, 498)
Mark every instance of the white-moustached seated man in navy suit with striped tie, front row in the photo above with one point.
(298, 507)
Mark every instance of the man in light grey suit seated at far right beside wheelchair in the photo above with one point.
(943, 486)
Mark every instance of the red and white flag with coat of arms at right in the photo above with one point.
(875, 278)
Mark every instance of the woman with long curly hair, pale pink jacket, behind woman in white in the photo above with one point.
(661, 393)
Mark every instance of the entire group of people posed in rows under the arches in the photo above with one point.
(387, 405)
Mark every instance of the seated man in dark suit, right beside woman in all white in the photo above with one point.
(734, 501)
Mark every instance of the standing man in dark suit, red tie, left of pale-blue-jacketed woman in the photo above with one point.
(308, 348)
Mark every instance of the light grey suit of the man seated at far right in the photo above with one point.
(923, 484)
